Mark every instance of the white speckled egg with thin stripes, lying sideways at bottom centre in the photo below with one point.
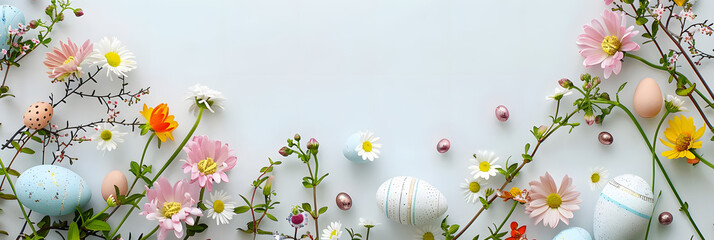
(409, 200)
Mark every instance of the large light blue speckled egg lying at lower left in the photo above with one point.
(52, 190)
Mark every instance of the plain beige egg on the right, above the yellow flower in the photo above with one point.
(647, 99)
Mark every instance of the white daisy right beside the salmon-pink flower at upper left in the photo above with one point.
(113, 56)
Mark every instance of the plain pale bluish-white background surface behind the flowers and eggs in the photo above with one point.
(411, 71)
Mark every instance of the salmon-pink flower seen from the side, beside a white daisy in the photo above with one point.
(64, 62)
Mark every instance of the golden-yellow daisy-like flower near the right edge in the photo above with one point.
(681, 136)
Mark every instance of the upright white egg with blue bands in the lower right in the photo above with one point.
(623, 209)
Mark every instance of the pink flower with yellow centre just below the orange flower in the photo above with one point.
(208, 161)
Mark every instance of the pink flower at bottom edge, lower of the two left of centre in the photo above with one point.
(171, 205)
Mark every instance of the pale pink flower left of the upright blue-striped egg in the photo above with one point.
(550, 204)
